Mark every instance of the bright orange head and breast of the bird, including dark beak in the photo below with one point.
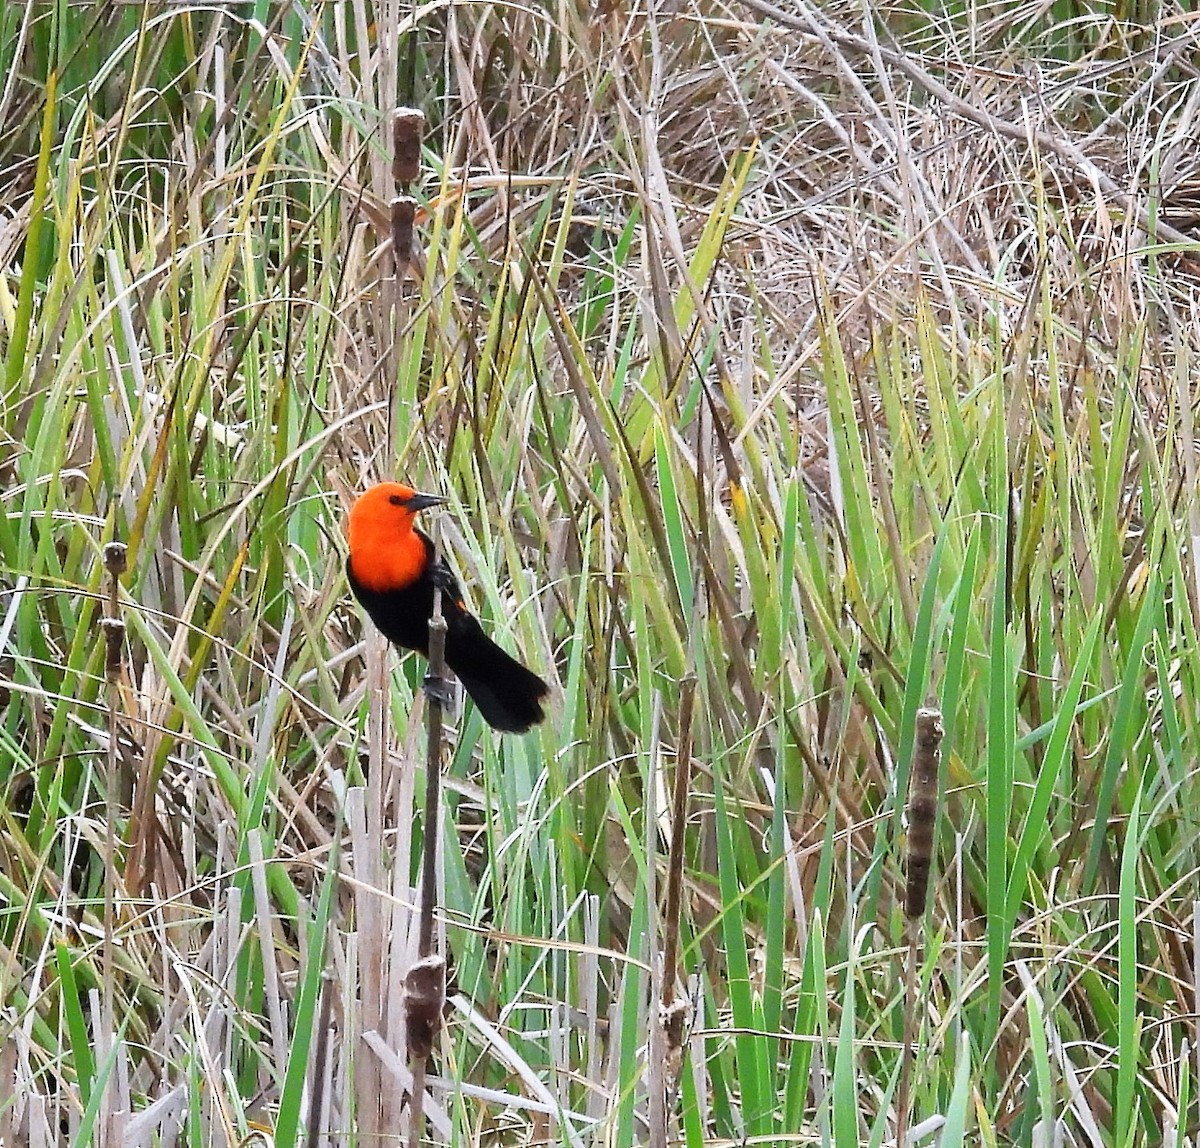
(386, 552)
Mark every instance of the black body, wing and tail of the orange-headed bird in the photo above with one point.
(508, 695)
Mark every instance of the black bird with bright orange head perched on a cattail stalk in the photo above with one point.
(393, 569)
